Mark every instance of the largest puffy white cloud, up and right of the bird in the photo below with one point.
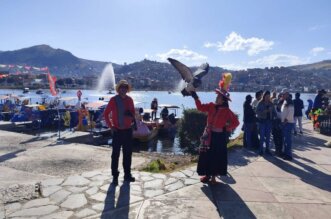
(235, 42)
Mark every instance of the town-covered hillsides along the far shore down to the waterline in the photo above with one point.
(23, 68)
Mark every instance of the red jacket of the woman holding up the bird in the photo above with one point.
(224, 117)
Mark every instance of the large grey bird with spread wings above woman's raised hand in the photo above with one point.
(193, 80)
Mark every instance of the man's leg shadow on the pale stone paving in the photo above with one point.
(120, 209)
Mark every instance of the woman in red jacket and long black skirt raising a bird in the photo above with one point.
(221, 120)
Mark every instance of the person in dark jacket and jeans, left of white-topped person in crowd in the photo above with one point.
(265, 112)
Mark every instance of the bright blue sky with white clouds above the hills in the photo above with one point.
(228, 33)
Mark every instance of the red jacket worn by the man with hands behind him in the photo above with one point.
(112, 115)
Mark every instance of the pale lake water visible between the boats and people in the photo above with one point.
(145, 98)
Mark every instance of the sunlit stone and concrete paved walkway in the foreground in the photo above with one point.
(257, 187)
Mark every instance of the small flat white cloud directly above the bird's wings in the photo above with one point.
(183, 55)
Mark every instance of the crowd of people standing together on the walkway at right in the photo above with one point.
(279, 116)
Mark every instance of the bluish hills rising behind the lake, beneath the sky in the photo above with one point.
(147, 74)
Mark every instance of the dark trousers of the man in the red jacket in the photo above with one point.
(122, 138)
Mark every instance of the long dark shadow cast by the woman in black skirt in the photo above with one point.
(229, 204)
